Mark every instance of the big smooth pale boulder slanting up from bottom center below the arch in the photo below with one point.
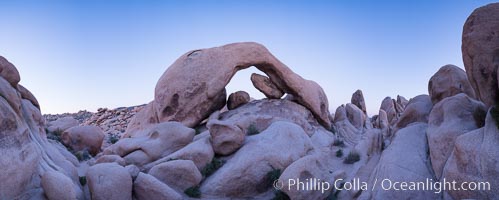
(245, 173)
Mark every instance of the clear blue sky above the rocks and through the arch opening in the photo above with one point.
(85, 55)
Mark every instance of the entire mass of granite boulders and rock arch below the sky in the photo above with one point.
(192, 142)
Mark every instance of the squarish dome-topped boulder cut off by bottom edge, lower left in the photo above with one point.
(109, 181)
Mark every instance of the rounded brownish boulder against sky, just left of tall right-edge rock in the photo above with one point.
(448, 81)
